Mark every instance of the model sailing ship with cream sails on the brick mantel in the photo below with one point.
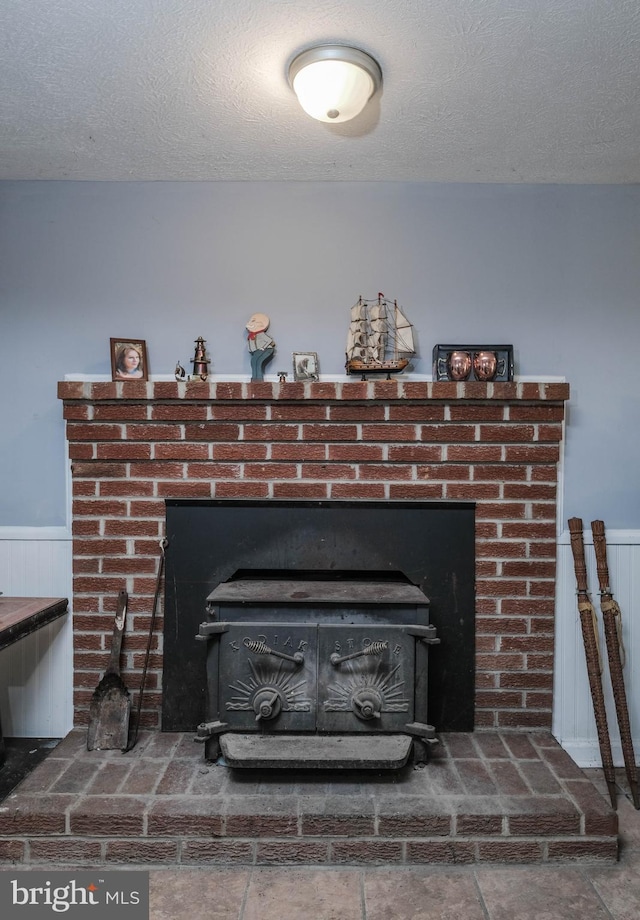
(380, 339)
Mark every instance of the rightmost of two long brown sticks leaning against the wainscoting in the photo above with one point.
(612, 618)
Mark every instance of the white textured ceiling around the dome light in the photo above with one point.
(473, 91)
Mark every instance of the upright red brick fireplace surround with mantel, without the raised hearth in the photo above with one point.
(132, 445)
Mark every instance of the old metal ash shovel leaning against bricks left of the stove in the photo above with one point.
(110, 703)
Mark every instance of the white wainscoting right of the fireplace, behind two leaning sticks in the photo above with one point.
(573, 720)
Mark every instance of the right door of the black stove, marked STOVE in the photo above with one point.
(365, 678)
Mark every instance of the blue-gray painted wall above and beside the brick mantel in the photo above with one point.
(553, 269)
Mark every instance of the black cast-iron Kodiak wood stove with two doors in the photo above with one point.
(317, 673)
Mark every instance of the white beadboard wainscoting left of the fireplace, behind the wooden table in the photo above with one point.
(36, 673)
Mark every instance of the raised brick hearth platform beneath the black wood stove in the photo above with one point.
(484, 798)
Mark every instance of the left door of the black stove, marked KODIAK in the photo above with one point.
(268, 676)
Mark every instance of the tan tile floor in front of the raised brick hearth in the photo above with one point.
(602, 892)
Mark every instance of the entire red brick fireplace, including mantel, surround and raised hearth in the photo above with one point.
(504, 793)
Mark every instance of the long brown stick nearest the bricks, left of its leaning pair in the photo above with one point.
(589, 626)
